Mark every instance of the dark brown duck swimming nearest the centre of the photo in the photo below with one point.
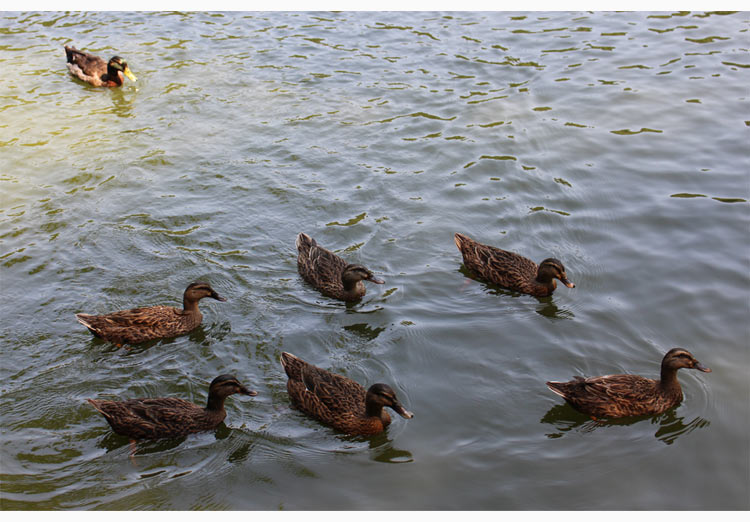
(329, 273)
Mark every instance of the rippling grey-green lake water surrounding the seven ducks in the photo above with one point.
(616, 142)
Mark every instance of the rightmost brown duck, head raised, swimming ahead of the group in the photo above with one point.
(628, 395)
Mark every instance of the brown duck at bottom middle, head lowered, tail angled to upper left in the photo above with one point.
(338, 401)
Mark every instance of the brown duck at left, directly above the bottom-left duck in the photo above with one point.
(138, 325)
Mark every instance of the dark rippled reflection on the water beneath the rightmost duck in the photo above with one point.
(669, 426)
